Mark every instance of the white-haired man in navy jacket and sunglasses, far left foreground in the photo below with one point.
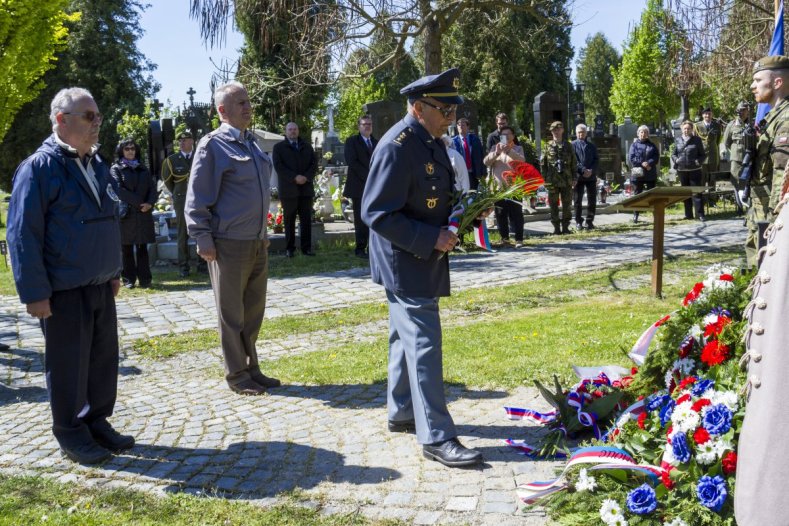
(64, 240)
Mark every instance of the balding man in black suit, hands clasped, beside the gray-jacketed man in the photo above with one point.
(295, 163)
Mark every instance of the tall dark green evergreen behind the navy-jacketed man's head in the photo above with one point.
(102, 57)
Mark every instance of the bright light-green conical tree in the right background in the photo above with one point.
(640, 90)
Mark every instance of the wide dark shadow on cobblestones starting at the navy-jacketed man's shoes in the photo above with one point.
(245, 470)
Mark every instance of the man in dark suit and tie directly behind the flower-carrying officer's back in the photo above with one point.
(358, 150)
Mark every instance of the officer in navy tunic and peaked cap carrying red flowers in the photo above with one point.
(406, 204)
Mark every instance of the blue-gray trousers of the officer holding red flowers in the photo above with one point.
(416, 372)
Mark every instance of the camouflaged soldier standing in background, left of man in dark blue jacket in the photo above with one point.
(557, 165)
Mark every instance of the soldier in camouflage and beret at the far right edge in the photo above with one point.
(770, 85)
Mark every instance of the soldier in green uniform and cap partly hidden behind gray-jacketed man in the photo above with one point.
(175, 175)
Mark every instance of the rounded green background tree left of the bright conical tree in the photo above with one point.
(595, 62)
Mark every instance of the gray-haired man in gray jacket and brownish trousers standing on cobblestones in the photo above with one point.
(229, 190)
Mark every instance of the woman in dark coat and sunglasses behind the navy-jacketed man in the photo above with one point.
(137, 191)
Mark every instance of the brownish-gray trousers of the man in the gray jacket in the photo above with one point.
(239, 276)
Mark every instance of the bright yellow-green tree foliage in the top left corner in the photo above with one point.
(31, 31)
